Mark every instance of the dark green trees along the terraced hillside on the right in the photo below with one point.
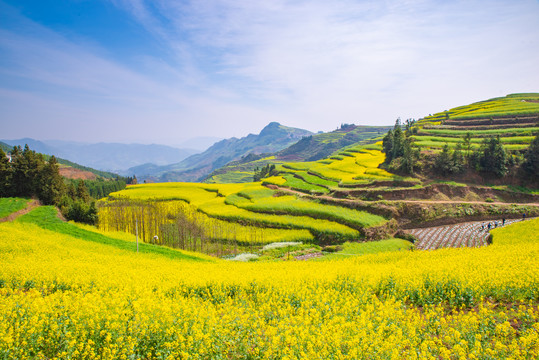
(490, 159)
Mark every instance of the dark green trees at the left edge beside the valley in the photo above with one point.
(28, 174)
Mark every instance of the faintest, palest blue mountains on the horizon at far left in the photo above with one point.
(107, 156)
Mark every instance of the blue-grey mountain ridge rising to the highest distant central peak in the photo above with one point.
(274, 137)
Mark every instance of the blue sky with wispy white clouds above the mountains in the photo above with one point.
(163, 71)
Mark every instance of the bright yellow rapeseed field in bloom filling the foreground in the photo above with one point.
(62, 297)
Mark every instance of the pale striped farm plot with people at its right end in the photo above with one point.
(470, 234)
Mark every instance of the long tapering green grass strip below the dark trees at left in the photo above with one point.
(46, 218)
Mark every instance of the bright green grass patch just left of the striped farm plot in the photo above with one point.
(371, 247)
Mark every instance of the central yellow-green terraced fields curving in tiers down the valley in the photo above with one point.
(245, 214)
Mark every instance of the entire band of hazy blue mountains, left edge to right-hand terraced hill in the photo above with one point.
(161, 163)
